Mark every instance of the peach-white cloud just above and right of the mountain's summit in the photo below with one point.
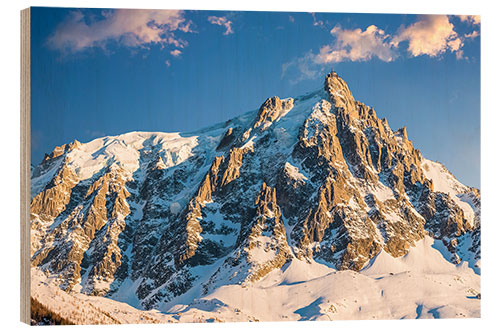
(356, 45)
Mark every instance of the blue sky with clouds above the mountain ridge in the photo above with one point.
(106, 72)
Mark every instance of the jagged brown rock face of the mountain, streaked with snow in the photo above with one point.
(318, 177)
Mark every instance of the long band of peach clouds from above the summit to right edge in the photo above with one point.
(430, 35)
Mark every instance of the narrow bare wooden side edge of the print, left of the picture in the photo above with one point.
(25, 163)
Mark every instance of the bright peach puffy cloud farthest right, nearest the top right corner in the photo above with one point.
(431, 35)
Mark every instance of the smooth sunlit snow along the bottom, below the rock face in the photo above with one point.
(421, 284)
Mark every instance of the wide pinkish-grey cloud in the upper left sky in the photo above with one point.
(127, 27)
